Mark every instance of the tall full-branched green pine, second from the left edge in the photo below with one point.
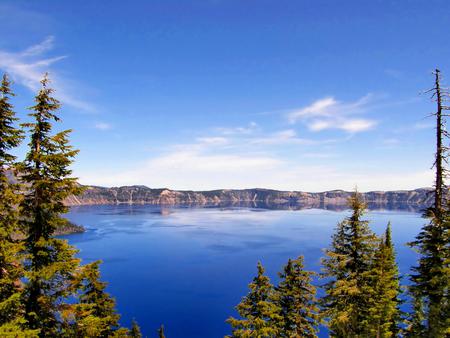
(45, 171)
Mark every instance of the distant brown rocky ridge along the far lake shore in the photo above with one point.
(138, 194)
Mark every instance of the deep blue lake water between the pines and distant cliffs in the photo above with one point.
(187, 268)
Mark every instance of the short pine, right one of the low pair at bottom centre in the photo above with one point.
(295, 296)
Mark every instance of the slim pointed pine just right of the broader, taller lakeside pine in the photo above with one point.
(384, 305)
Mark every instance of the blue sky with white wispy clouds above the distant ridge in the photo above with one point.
(226, 94)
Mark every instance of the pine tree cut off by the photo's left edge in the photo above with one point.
(11, 247)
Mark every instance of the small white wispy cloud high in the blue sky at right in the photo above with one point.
(328, 113)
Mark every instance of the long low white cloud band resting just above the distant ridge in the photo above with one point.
(200, 171)
